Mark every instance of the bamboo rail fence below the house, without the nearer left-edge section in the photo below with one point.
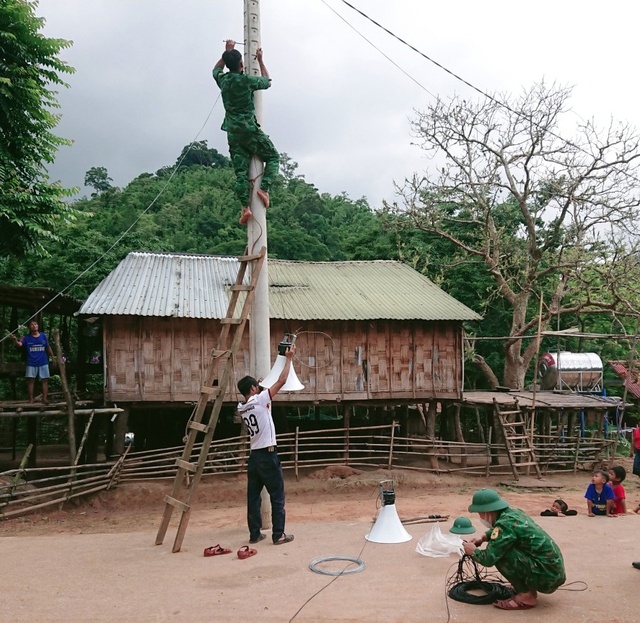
(375, 447)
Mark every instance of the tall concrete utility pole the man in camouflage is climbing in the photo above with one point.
(259, 329)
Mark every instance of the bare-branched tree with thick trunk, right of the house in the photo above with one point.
(542, 213)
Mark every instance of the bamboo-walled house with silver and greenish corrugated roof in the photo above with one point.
(366, 331)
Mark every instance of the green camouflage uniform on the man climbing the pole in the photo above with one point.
(244, 135)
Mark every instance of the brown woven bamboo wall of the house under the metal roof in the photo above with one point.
(165, 359)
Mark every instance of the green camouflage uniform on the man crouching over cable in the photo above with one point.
(523, 553)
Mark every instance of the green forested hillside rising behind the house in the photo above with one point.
(192, 208)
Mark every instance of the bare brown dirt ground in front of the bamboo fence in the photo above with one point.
(96, 561)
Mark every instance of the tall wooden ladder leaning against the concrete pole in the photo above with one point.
(213, 388)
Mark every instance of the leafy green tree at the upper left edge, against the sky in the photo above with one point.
(31, 208)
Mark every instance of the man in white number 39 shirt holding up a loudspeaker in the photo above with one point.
(263, 467)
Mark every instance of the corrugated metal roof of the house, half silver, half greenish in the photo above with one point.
(197, 286)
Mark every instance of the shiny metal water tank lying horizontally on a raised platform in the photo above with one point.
(565, 370)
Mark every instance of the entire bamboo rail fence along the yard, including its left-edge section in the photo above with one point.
(27, 489)
